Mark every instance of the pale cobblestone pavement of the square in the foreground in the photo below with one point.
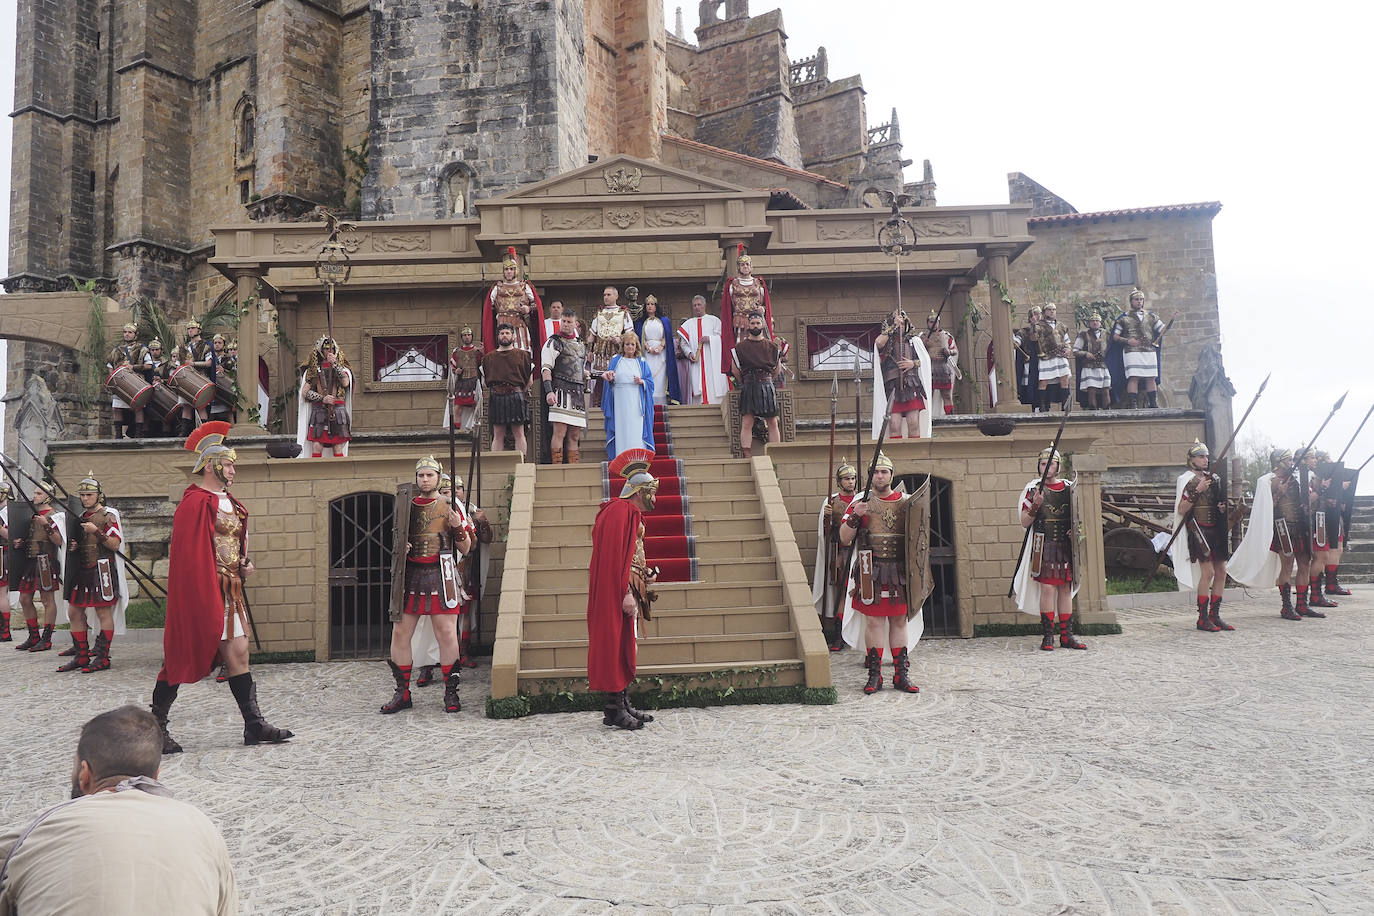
(1164, 771)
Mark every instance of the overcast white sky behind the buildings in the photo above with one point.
(1259, 106)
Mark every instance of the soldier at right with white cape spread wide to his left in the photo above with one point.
(1279, 545)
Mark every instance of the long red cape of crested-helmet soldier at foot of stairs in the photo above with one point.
(611, 635)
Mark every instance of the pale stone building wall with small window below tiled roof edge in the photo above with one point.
(1177, 268)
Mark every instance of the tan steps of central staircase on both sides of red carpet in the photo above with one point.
(739, 615)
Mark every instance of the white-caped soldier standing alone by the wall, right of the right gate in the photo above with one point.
(1048, 576)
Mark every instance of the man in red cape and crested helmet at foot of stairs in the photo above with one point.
(619, 591)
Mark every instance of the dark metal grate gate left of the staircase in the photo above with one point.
(361, 575)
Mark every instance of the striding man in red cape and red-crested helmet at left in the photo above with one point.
(207, 610)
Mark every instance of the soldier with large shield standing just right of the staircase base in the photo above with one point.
(880, 602)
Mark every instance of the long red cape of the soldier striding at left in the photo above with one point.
(196, 608)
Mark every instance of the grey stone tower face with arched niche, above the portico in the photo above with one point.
(462, 84)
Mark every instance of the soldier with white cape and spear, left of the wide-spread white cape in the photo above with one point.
(1200, 557)
